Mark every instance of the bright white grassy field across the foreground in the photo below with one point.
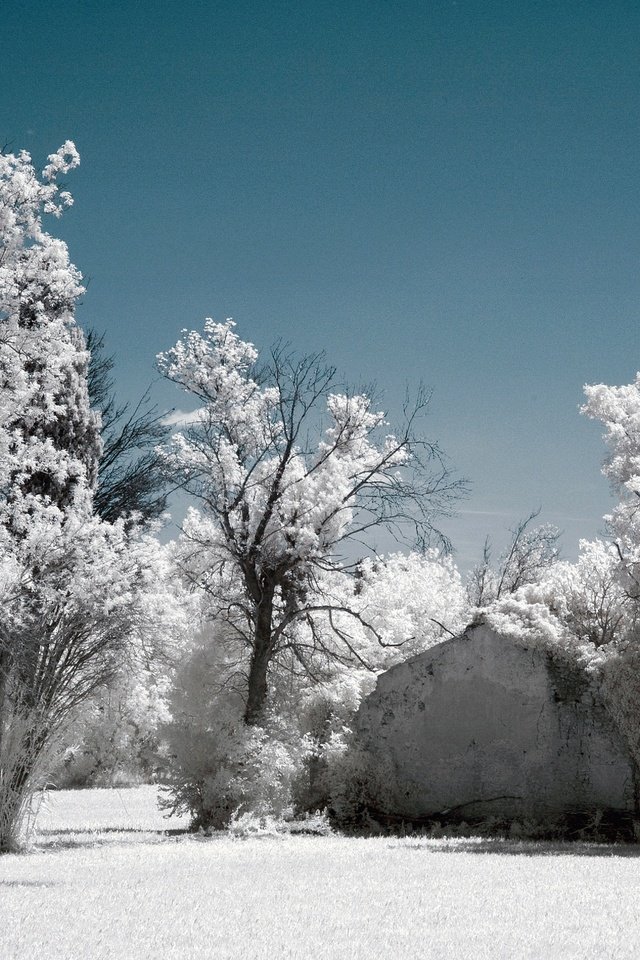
(102, 880)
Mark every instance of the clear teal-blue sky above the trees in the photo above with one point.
(430, 191)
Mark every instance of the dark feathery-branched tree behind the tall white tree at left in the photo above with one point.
(131, 479)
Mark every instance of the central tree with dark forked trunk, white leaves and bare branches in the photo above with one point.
(281, 496)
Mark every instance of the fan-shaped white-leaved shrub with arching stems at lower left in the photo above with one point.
(57, 647)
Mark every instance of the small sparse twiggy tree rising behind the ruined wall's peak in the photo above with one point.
(527, 559)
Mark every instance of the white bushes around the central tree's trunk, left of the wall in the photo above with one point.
(299, 758)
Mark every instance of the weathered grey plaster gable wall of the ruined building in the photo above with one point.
(491, 728)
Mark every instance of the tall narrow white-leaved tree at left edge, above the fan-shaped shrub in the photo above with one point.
(49, 439)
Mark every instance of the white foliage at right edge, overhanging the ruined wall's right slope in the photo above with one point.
(590, 610)
